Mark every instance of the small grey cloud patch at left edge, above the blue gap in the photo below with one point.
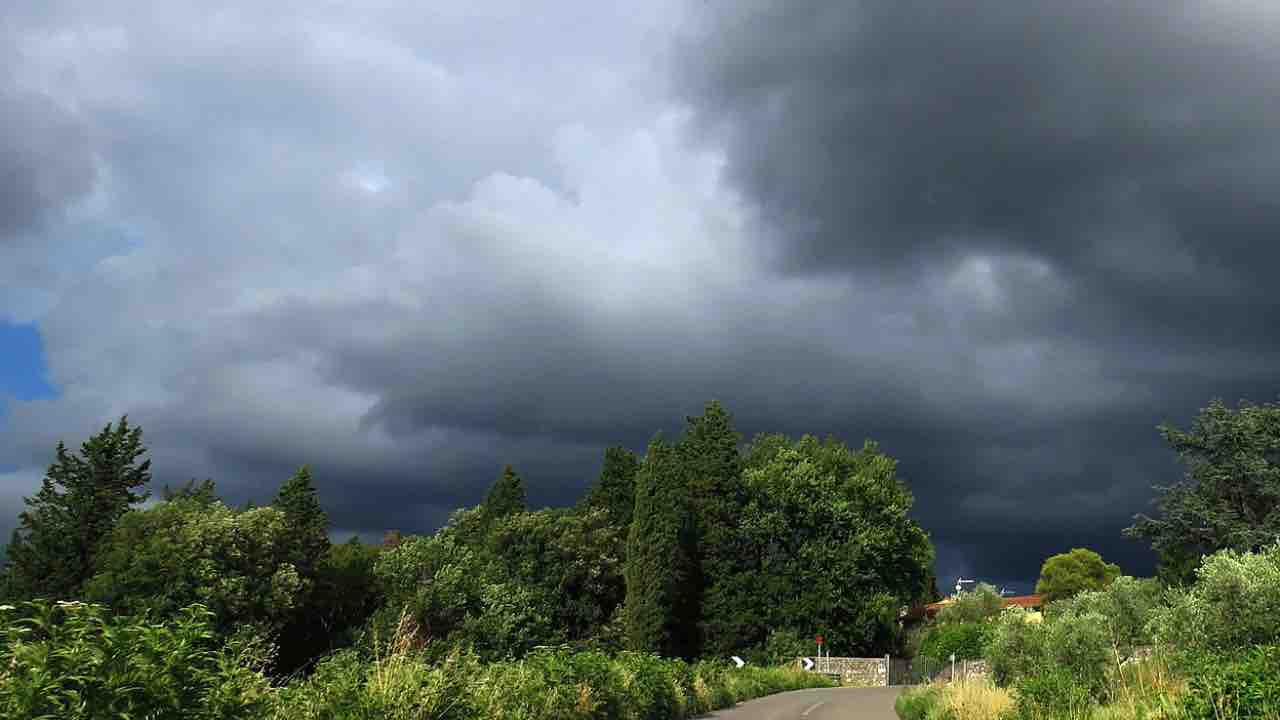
(45, 161)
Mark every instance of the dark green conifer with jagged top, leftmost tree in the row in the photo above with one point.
(56, 545)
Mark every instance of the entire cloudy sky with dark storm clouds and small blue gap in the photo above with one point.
(410, 243)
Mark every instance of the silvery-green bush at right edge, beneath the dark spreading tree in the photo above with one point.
(1233, 605)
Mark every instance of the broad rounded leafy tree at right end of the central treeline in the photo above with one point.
(830, 544)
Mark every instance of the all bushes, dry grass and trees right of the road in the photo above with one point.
(1200, 642)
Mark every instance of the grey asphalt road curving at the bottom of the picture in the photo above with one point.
(824, 704)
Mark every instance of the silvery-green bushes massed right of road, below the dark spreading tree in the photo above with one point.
(1218, 635)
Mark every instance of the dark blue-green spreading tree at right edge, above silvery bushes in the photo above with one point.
(1229, 498)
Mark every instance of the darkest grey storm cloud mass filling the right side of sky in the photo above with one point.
(1131, 148)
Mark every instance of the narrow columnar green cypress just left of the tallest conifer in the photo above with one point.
(660, 599)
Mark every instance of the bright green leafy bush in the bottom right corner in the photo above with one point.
(1241, 687)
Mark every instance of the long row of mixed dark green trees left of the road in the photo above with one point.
(702, 548)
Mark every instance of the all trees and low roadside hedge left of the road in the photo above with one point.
(629, 604)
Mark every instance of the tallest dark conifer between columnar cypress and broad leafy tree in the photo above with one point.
(710, 457)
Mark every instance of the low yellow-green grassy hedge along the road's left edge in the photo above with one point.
(545, 686)
